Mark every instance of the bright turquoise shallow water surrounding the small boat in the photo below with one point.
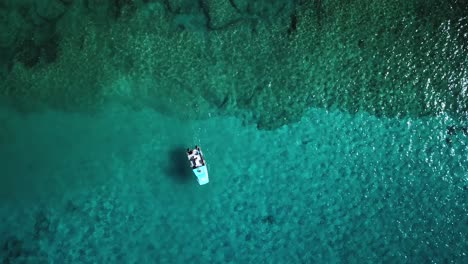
(333, 188)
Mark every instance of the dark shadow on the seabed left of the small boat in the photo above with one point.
(179, 169)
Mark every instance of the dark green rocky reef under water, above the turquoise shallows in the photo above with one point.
(268, 60)
